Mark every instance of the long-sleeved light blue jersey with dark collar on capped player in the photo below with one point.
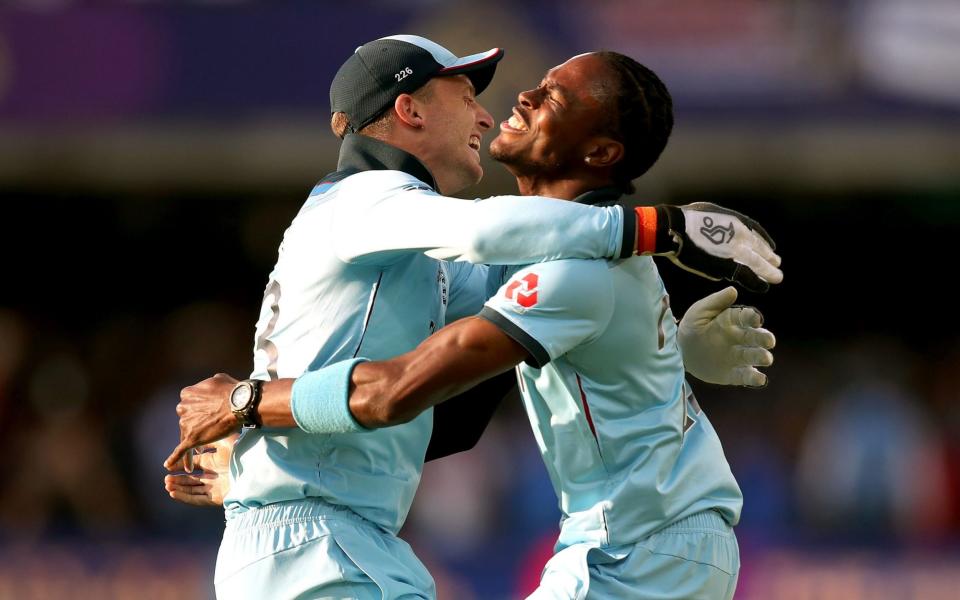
(353, 278)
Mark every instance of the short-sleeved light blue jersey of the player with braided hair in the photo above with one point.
(627, 447)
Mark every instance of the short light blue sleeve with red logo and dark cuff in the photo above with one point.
(551, 308)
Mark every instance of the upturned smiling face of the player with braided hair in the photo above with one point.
(551, 127)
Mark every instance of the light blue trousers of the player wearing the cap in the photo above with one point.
(309, 549)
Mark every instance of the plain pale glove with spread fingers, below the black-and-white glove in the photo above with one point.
(724, 344)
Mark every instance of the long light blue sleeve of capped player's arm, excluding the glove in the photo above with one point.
(405, 214)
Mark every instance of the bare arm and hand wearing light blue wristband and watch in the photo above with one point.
(381, 394)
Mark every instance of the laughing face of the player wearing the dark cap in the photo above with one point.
(456, 123)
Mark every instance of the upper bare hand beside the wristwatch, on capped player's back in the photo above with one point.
(205, 416)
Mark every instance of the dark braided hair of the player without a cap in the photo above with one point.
(642, 120)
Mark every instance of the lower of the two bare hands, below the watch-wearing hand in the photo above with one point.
(210, 485)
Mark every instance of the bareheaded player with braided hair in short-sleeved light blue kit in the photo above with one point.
(648, 498)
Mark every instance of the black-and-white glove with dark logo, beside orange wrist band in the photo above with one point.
(718, 243)
